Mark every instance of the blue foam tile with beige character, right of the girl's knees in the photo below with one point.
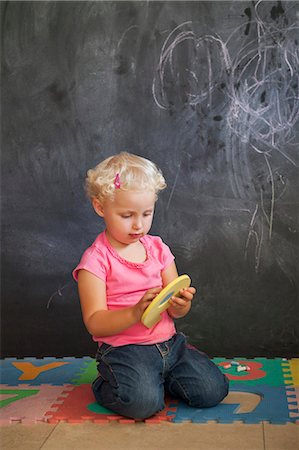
(269, 404)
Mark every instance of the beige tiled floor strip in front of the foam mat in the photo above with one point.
(166, 436)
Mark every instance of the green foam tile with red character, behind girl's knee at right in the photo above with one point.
(262, 371)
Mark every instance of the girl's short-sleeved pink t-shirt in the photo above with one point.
(126, 282)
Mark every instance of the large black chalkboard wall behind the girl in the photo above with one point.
(209, 91)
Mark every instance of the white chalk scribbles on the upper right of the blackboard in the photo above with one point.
(256, 88)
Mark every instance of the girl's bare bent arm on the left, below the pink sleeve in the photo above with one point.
(98, 320)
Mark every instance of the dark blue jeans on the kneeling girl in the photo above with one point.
(133, 378)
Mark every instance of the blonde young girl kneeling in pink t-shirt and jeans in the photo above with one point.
(118, 277)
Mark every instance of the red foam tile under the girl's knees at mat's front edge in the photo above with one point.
(80, 406)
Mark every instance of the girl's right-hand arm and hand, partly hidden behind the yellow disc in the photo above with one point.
(179, 306)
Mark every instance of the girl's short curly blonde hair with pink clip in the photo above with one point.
(134, 173)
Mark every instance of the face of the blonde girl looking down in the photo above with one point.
(128, 216)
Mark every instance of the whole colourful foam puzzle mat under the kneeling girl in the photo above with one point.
(59, 389)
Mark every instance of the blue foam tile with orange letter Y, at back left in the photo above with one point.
(34, 371)
